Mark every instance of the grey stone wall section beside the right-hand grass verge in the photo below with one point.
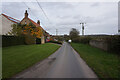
(99, 44)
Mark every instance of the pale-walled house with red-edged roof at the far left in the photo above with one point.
(6, 23)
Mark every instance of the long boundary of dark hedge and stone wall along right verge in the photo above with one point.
(110, 43)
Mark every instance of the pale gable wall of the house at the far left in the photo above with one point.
(6, 25)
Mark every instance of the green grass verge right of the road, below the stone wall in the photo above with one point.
(104, 64)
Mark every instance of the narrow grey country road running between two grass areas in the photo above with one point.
(64, 63)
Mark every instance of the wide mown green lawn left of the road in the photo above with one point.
(18, 58)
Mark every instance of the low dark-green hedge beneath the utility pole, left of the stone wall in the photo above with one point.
(82, 39)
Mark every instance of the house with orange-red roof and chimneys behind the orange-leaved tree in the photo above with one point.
(27, 21)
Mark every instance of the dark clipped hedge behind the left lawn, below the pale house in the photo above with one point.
(12, 40)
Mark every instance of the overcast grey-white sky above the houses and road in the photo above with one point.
(100, 17)
